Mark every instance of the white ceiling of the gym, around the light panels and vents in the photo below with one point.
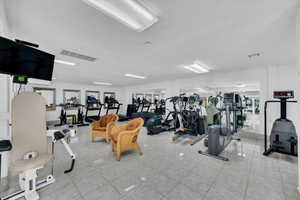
(218, 33)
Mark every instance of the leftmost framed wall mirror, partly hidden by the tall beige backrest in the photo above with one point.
(49, 95)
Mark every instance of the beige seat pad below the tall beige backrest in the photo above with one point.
(21, 166)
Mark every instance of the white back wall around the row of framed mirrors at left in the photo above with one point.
(60, 86)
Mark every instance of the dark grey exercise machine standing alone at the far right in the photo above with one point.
(283, 138)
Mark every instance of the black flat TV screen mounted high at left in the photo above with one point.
(18, 59)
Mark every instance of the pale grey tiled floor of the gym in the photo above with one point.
(169, 171)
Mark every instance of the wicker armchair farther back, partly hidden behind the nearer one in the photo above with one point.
(102, 127)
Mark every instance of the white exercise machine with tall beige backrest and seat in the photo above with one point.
(29, 145)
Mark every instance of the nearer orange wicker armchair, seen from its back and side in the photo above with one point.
(125, 137)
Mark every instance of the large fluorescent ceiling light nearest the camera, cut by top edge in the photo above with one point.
(128, 12)
